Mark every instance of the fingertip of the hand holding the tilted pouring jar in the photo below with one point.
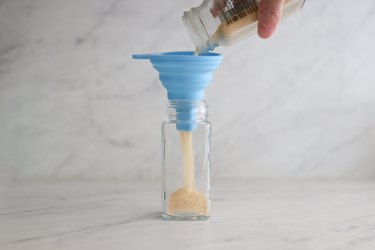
(269, 15)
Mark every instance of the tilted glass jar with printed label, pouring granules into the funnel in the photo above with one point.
(225, 22)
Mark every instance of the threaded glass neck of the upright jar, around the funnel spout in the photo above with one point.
(186, 111)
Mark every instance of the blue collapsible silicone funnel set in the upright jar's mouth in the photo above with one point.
(185, 77)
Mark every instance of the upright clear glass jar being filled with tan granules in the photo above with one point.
(186, 136)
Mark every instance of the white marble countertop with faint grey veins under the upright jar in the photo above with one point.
(245, 215)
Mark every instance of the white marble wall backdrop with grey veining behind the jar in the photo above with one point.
(73, 104)
